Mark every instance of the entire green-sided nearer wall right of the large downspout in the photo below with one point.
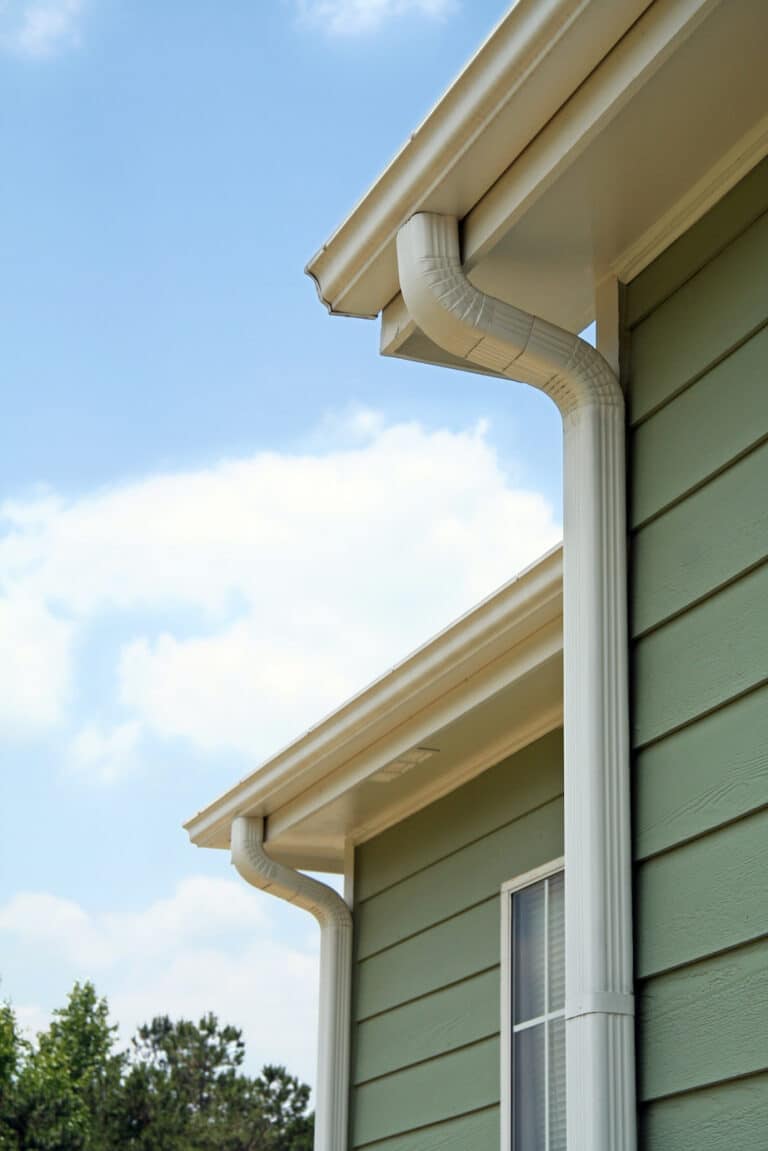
(696, 364)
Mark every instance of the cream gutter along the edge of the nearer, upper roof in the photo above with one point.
(531, 65)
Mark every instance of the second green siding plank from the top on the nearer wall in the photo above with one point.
(702, 323)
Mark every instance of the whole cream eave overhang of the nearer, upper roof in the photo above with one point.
(579, 143)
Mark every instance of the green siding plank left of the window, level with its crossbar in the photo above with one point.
(430, 1027)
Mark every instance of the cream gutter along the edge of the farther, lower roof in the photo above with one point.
(455, 652)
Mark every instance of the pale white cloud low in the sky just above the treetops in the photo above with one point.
(170, 959)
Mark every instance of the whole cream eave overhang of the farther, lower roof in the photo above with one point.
(481, 690)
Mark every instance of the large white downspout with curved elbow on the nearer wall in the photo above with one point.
(491, 334)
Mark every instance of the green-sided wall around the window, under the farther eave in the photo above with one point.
(428, 936)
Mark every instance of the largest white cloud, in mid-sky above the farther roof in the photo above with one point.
(299, 580)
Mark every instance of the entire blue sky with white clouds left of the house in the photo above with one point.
(222, 512)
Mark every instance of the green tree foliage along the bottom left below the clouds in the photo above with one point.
(181, 1087)
